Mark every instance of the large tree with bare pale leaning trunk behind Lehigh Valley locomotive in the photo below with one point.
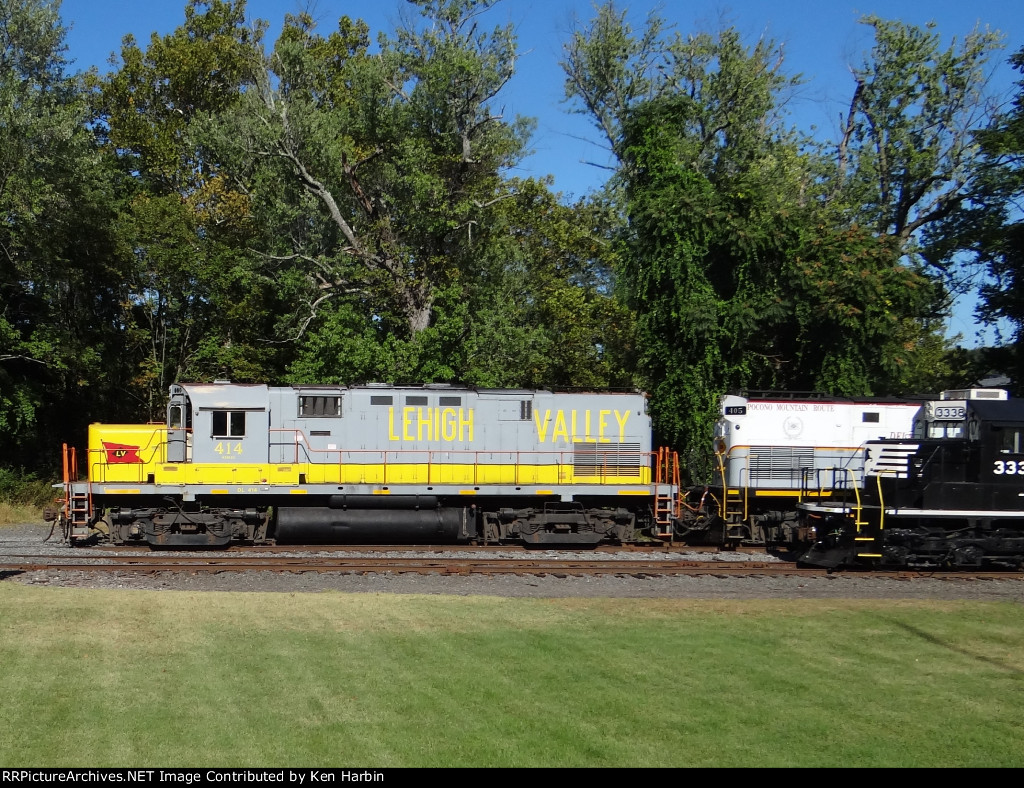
(376, 170)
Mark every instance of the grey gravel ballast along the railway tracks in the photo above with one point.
(32, 539)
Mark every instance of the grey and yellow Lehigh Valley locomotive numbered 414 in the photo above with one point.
(373, 465)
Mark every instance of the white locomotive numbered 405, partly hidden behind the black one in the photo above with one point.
(777, 450)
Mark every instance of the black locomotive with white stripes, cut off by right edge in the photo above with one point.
(931, 503)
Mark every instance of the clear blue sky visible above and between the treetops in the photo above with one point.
(823, 39)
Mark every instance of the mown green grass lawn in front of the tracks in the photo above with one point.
(172, 679)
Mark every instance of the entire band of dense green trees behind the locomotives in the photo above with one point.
(330, 208)
